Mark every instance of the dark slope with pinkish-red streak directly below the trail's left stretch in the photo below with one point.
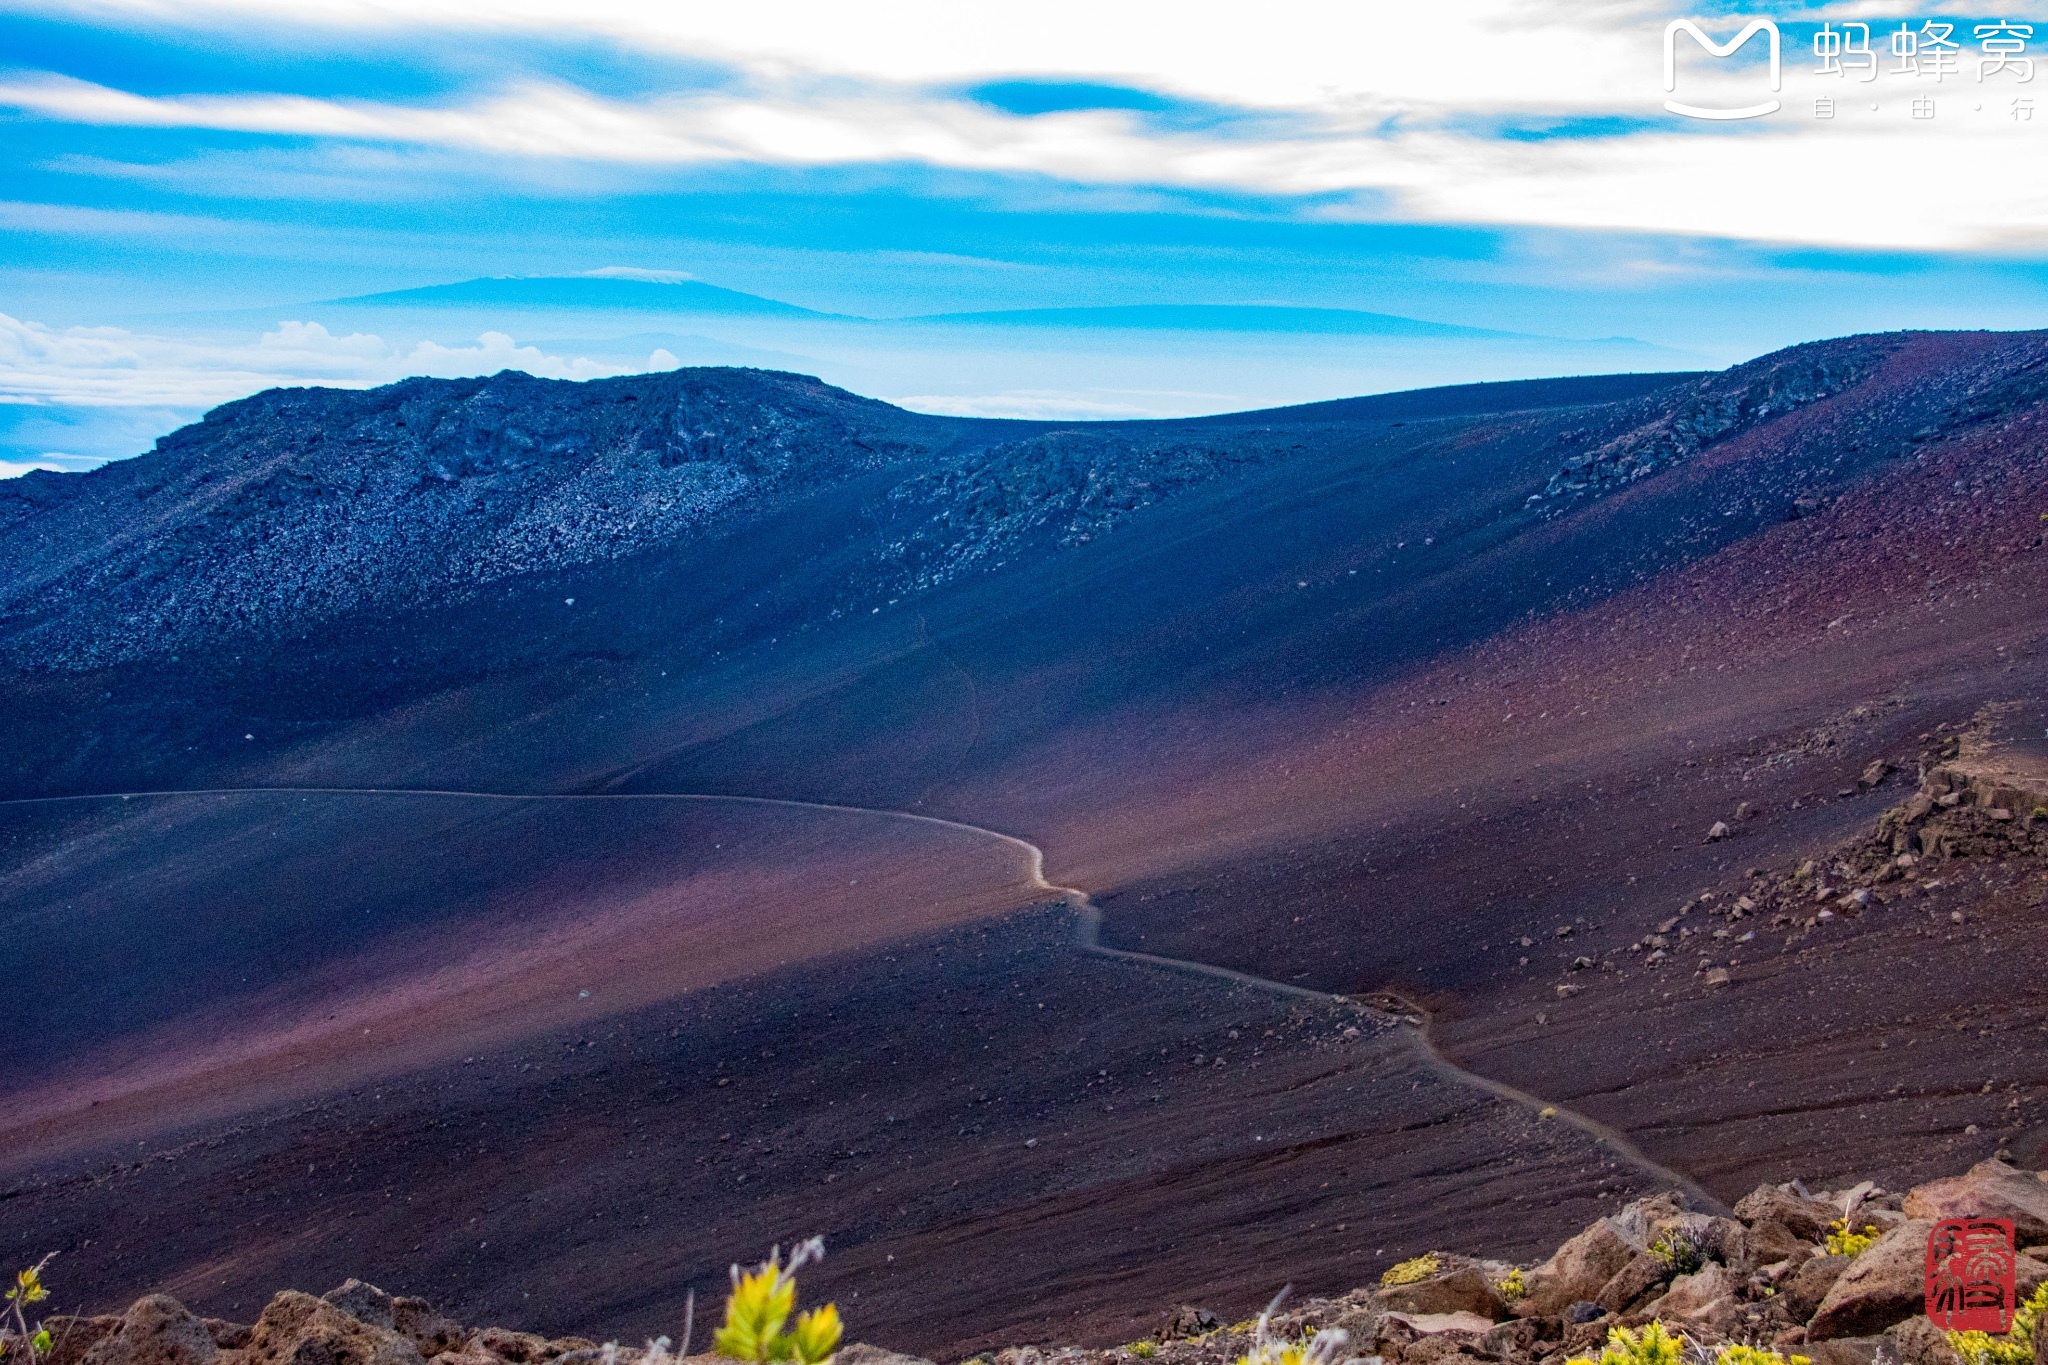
(370, 932)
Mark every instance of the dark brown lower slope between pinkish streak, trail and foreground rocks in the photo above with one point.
(1060, 1141)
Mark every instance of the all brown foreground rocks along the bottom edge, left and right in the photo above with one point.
(1762, 1278)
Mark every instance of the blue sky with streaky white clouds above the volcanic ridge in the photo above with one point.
(187, 183)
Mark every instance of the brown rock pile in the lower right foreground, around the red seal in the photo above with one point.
(1762, 1278)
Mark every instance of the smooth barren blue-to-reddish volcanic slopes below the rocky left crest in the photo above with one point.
(1435, 695)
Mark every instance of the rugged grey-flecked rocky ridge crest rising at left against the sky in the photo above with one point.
(298, 507)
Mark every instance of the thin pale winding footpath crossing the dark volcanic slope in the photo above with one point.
(1410, 1018)
